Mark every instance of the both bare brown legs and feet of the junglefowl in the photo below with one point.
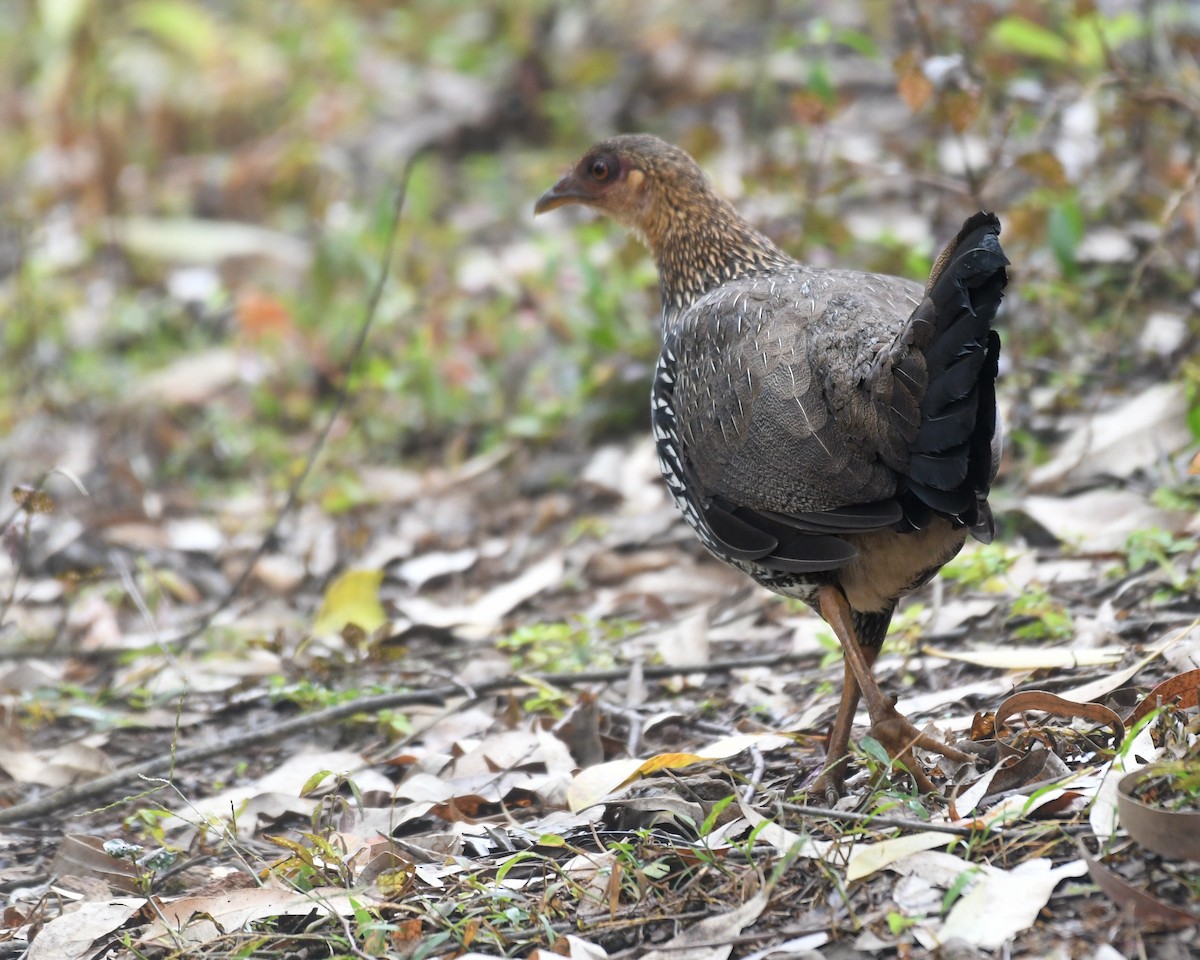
(895, 731)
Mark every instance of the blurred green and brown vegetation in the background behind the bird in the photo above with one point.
(135, 133)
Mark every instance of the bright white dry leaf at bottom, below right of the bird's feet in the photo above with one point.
(1003, 904)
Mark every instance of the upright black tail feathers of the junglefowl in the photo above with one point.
(957, 452)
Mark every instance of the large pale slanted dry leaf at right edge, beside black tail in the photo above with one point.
(1119, 442)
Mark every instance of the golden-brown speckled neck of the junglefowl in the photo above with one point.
(701, 243)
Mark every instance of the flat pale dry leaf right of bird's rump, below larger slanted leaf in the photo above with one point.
(1101, 520)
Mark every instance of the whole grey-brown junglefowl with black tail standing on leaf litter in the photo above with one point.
(832, 434)
